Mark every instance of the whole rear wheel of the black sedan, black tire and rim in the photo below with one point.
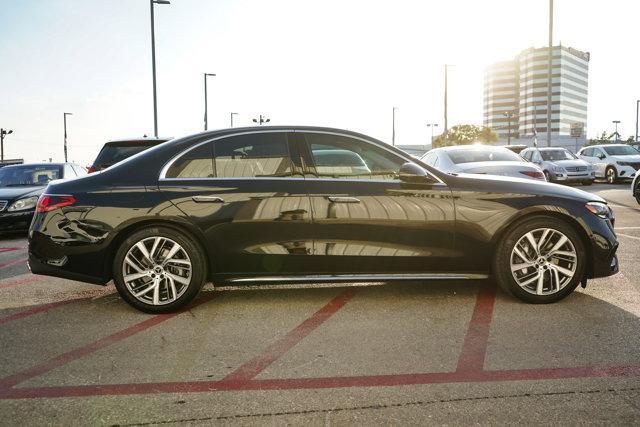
(178, 277)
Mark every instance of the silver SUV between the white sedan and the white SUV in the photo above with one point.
(560, 165)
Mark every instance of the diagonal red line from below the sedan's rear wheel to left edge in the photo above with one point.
(77, 353)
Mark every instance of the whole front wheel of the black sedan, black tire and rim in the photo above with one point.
(529, 292)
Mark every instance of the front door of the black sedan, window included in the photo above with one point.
(365, 220)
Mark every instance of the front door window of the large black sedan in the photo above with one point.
(338, 156)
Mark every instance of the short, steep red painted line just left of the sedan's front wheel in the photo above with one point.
(474, 347)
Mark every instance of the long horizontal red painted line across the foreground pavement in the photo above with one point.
(320, 383)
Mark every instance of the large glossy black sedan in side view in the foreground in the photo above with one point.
(304, 204)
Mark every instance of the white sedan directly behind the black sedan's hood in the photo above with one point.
(482, 159)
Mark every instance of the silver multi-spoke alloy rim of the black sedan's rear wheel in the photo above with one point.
(156, 270)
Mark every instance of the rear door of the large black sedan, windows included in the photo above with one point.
(246, 193)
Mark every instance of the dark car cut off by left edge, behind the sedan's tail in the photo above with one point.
(20, 187)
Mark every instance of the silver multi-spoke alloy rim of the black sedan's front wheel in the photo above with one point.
(543, 261)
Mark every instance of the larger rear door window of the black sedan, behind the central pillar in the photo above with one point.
(253, 155)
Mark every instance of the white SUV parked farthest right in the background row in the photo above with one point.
(612, 161)
